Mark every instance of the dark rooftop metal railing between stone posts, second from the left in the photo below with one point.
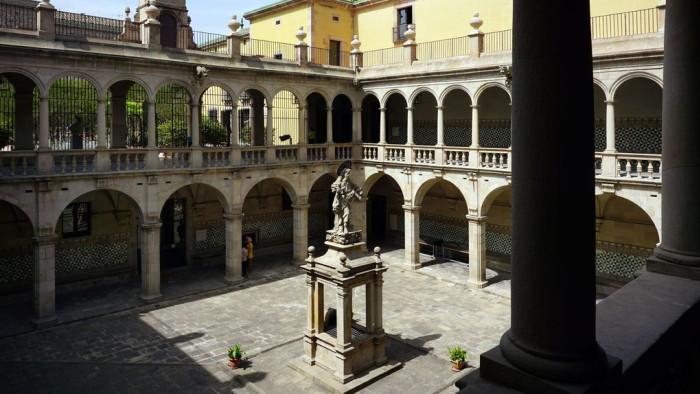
(81, 25)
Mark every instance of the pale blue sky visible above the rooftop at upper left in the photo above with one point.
(207, 15)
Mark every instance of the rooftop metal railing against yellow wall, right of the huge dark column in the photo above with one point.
(625, 23)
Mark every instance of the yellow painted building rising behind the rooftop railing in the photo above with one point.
(331, 24)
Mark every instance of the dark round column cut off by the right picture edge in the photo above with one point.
(679, 250)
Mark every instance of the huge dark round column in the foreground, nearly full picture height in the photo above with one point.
(552, 335)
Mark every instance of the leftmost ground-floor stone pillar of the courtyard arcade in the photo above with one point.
(44, 280)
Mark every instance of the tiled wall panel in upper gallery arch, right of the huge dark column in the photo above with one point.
(638, 135)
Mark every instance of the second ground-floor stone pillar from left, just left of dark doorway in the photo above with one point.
(150, 262)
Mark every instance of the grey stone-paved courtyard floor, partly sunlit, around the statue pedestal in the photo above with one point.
(106, 340)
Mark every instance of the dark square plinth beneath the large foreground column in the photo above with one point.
(495, 367)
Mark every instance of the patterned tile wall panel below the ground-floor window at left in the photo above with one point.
(91, 254)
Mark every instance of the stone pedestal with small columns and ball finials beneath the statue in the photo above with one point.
(336, 347)
